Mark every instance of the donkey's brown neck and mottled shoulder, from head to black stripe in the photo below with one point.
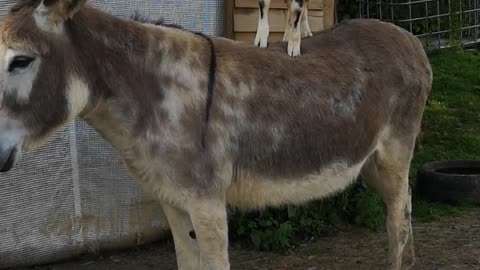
(135, 72)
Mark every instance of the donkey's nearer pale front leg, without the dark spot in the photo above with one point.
(209, 218)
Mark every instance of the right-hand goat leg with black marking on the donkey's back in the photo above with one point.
(294, 37)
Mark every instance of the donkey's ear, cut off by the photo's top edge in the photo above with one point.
(50, 14)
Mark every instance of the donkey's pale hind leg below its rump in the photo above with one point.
(387, 172)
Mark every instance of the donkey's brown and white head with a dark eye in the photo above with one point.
(39, 89)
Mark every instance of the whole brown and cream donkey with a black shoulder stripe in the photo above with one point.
(205, 122)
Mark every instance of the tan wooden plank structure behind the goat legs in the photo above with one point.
(241, 18)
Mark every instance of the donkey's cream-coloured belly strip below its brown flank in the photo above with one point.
(253, 191)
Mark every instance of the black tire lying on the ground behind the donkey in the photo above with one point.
(455, 181)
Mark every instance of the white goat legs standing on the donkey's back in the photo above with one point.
(296, 29)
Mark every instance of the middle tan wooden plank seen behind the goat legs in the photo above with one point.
(246, 20)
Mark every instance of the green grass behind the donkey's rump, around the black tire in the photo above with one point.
(451, 122)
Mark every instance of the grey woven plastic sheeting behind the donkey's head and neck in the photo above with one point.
(74, 195)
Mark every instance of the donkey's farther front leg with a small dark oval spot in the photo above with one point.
(186, 247)
